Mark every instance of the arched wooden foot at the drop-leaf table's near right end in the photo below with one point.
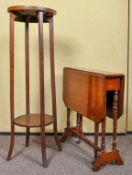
(107, 158)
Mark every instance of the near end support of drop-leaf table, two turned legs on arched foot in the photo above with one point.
(114, 155)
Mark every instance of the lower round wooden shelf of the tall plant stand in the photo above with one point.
(32, 120)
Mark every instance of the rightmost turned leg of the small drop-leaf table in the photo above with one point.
(115, 114)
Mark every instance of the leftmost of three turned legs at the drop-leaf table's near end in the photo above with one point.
(96, 130)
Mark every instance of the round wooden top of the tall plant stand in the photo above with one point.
(22, 12)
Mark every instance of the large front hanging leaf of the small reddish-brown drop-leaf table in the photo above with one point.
(84, 105)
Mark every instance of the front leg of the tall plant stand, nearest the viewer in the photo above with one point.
(41, 79)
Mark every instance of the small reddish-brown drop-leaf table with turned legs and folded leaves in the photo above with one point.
(94, 95)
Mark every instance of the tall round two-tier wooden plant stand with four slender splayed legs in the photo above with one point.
(40, 15)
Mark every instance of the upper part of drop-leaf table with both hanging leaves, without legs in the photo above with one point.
(91, 102)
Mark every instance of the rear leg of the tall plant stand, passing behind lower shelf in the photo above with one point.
(27, 77)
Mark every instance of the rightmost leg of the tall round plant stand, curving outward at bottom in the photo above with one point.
(53, 88)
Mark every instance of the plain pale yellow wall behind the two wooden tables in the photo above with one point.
(88, 33)
